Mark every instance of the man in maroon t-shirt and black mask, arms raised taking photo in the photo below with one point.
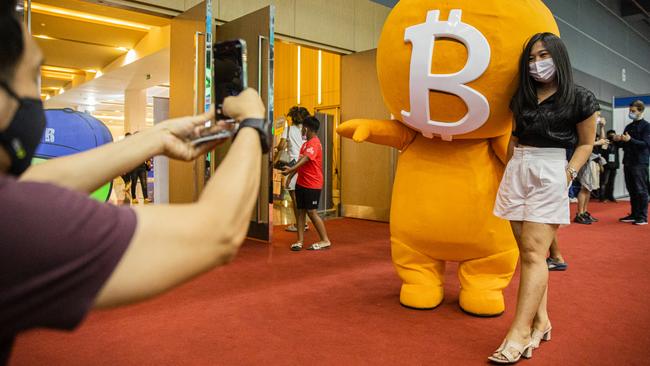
(63, 253)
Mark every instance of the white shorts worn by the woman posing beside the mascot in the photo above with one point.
(534, 187)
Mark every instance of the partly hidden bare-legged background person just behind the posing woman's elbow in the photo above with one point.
(589, 176)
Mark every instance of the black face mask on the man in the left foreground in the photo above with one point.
(24, 133)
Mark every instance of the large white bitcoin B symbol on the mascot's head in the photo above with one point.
(422, 37)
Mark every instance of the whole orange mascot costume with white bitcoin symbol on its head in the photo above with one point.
(447, 71)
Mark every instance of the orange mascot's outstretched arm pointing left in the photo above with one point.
(382, 132)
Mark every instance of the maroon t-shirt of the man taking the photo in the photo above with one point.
(57, 249)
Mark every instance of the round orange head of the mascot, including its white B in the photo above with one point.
(448, 68)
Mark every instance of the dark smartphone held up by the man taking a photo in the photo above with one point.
(229, 72)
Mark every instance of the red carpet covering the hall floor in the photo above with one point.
(340, 307)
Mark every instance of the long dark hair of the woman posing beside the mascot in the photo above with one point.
(526, 95)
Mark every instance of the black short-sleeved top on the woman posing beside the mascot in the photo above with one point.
(546, 125)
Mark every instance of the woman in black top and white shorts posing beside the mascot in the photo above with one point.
(551, 114)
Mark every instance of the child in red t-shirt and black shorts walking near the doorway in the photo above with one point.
(309, 185)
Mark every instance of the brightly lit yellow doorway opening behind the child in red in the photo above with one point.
(311, 78)
